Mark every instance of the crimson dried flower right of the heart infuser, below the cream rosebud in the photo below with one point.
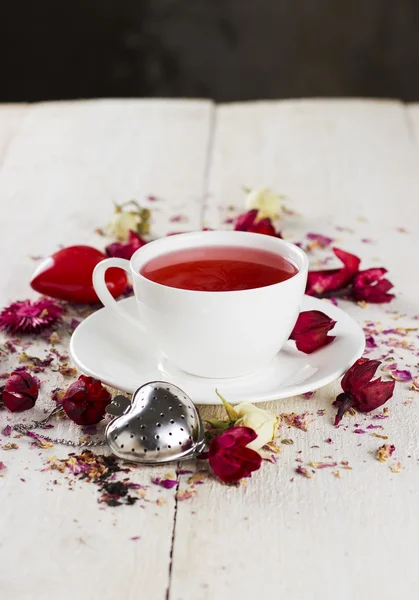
(228, 456)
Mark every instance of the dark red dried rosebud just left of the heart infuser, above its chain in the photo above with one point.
(85, 401)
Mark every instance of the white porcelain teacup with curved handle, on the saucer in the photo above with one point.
(212, 334)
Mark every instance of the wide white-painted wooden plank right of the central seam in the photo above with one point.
(342, 164)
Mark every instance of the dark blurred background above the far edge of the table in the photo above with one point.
(222, 49)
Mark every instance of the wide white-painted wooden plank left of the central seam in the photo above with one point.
(66, 166)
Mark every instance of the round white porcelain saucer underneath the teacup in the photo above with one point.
(105, 347)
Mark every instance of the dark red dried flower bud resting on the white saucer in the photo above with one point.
(310, 331)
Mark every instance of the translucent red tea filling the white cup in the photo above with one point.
(218, 269)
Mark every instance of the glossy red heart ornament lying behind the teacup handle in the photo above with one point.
(68, 273)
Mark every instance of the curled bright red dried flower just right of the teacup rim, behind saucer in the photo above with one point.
(331, 280)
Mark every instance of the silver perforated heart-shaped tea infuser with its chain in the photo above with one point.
(161, 424)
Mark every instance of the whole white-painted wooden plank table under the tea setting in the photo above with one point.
(351, 169)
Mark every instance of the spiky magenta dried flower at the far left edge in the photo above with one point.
(27, 316)
